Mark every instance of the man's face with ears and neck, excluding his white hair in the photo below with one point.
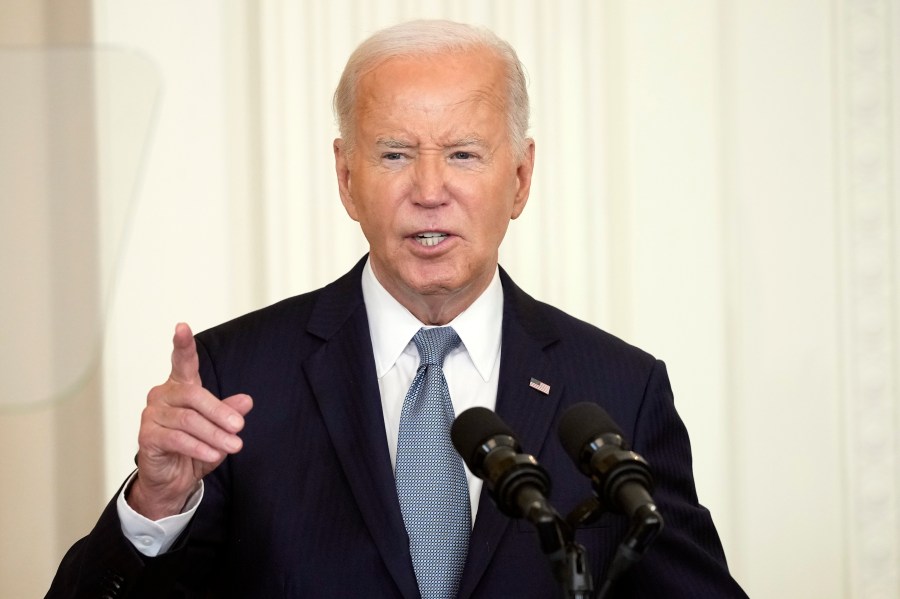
(432, 178)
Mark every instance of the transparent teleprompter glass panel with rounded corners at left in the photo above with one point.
(75, 124)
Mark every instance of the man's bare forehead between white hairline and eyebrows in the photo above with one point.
(447, 87)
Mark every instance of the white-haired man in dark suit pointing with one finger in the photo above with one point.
(299, 498)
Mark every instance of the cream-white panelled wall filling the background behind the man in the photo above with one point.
(716, 182)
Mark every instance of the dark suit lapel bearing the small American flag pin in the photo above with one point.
(527, 411)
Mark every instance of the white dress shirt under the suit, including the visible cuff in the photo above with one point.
(472, 372)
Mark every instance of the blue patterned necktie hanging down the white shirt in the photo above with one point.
(431, 480)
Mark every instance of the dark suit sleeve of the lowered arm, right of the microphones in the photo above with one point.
(687, 559)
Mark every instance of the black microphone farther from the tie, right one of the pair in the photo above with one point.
(621, 478)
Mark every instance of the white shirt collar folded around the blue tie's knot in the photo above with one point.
(392, 326)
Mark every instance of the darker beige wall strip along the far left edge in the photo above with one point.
(50, 402)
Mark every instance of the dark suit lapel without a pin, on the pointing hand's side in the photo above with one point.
(342, 376)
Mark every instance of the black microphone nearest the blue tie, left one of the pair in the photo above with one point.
(516, 482)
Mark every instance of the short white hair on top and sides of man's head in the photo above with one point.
(426, 37)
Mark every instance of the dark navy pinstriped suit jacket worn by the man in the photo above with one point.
(309, 509)
